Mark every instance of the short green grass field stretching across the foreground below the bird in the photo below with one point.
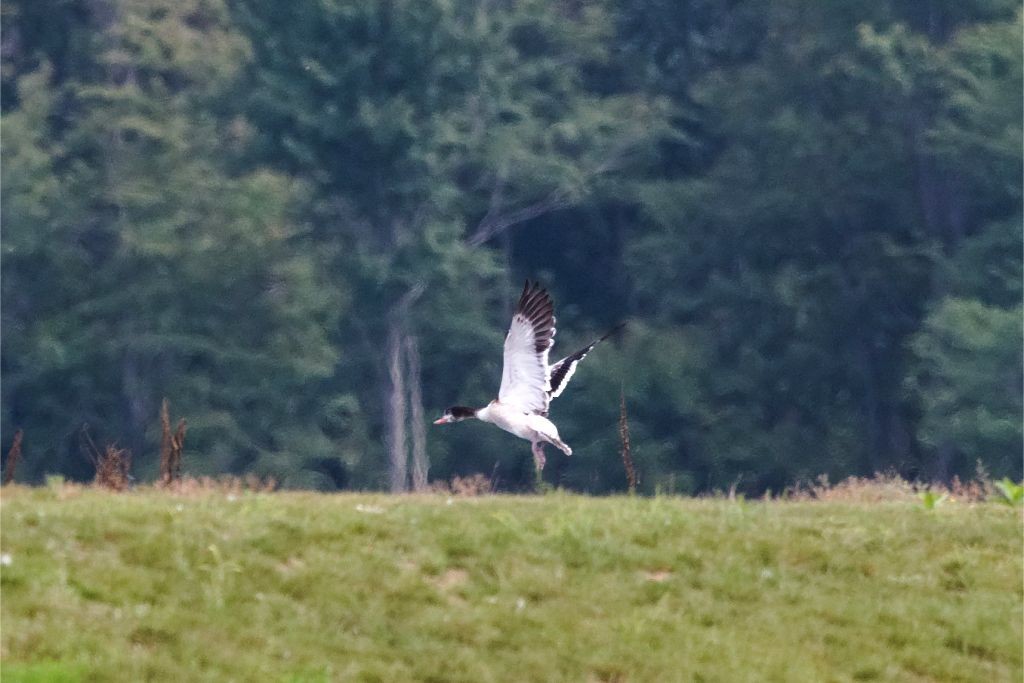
(306, 587)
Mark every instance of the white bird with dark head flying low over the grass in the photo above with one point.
(529, 383)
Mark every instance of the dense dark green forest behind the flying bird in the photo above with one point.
(306, 226)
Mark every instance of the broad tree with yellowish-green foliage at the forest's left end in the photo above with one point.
(138, 267)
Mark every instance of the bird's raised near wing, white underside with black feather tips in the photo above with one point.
(526, 376)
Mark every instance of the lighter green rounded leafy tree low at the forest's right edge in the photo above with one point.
(968, 372)
